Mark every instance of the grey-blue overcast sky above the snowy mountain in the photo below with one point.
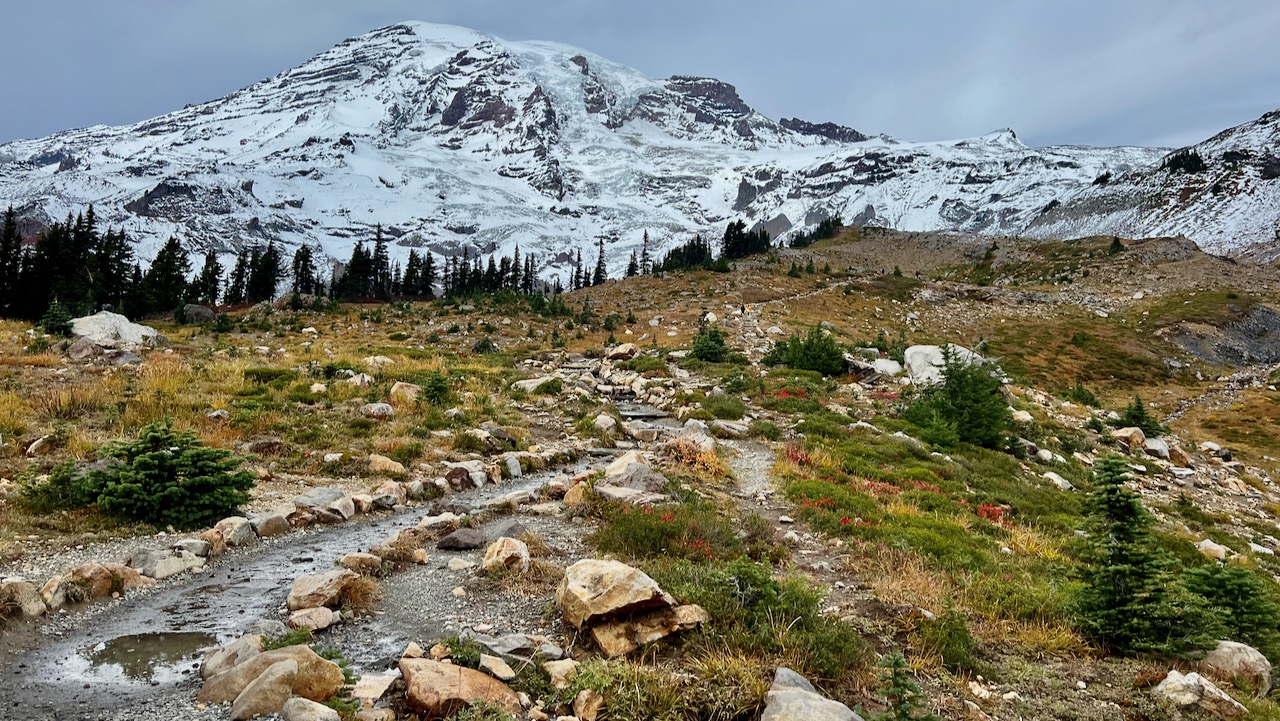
(1098, 72)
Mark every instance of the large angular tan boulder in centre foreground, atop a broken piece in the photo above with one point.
(595, 591)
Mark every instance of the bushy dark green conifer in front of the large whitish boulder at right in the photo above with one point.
(970, 399)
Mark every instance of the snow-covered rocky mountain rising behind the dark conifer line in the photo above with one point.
(450, 138)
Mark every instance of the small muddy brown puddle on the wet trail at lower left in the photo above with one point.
(148, 659)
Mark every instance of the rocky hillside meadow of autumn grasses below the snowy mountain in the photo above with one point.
(461, 459)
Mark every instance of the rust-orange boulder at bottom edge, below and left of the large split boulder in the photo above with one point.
(438, 691)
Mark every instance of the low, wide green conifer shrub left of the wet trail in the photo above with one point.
(170, 478)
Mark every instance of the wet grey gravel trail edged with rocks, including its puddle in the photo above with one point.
(139, 658)
